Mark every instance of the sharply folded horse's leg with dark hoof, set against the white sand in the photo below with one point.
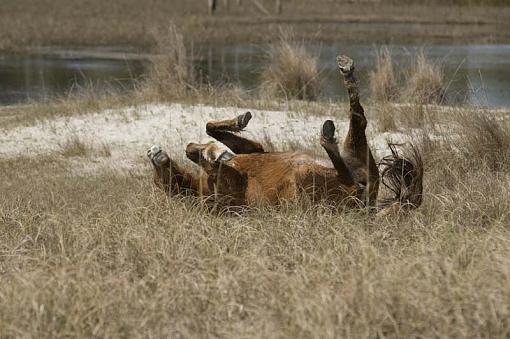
(224, 131)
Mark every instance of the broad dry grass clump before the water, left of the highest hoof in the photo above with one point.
(291, 72)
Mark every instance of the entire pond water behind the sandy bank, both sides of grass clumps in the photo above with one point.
(476, 74)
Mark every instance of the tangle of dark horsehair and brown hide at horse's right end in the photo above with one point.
(402, 174)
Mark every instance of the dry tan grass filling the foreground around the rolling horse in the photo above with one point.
(108, 256)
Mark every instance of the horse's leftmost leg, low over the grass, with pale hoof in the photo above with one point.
(172, 178)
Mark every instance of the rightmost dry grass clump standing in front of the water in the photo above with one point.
(425, 82)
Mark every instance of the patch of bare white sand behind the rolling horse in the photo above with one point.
(129, 132)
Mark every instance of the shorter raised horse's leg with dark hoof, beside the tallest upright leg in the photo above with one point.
(328, 141)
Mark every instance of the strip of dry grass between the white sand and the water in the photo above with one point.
(93, 102)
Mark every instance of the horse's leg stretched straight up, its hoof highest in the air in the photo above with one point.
(355, 144)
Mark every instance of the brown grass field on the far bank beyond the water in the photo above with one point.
(25, 24)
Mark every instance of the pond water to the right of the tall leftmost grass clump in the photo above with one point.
(475, 74)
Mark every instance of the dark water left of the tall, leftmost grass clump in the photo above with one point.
(47, 75)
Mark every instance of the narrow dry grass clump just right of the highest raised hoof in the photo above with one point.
(383, 81)
